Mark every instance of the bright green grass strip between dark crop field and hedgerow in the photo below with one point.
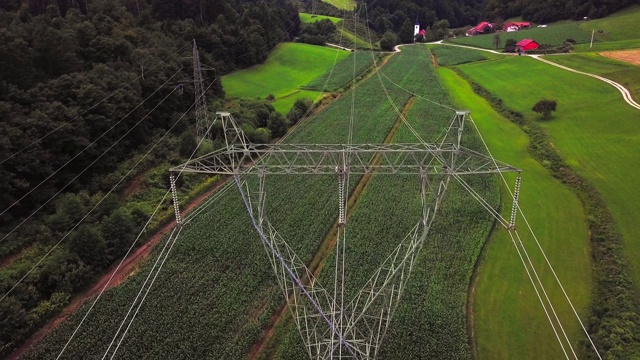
(506, 310)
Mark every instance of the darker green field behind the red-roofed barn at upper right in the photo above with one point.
(555, 34)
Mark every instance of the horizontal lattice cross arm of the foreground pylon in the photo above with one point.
(361, 159)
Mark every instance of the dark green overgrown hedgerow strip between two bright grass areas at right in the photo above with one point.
(614, 323)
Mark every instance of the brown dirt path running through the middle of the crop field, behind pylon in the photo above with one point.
(324, 250)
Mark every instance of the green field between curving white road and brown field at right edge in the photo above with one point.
(621, 72)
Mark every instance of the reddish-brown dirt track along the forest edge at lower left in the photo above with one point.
(127, 268)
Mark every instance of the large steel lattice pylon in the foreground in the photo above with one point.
(331, 325)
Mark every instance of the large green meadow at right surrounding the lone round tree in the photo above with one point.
(594, 130)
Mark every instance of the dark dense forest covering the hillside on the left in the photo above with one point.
(84, 91)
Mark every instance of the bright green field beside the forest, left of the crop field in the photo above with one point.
(290, 66)
